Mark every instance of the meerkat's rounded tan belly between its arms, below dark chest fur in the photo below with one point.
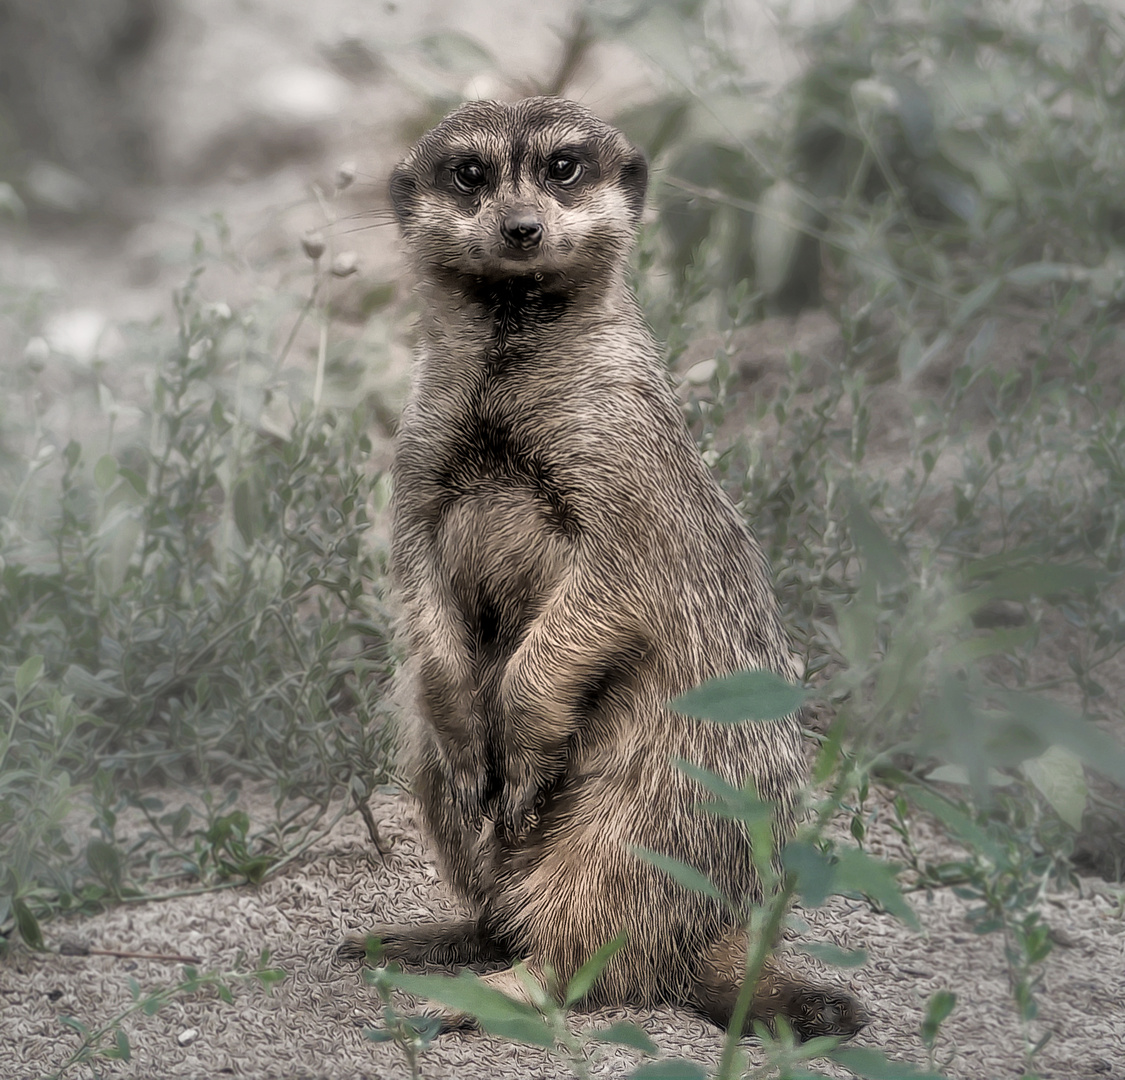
(502, 550)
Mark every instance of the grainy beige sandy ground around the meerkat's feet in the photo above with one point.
(313, 1024)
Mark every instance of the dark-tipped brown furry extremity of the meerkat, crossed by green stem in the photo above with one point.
(808, 1009)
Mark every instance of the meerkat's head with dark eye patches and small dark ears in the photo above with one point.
(541, 188)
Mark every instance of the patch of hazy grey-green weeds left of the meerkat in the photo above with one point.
(191, 615)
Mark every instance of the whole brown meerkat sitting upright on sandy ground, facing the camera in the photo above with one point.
(565, 565)
